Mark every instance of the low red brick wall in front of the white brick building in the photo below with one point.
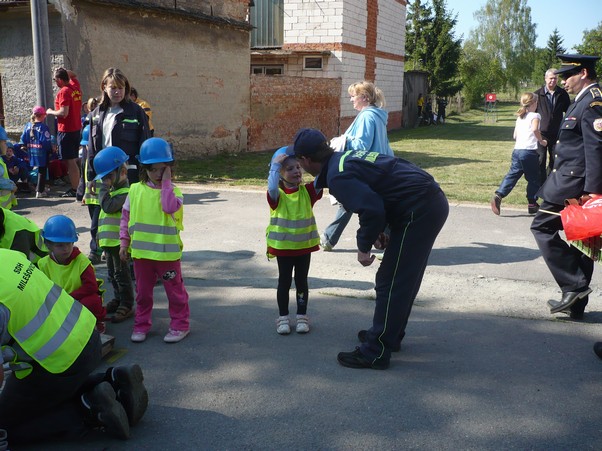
(281, 105)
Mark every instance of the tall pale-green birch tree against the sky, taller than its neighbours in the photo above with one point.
(507, 32)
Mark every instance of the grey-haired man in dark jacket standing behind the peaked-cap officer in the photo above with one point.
(553, 101)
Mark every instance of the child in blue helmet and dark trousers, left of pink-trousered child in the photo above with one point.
(111, 168)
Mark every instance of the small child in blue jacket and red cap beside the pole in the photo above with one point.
(36, 136)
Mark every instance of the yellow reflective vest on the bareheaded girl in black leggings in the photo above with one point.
(292, 224)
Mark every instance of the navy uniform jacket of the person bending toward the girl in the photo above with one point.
(379, 188)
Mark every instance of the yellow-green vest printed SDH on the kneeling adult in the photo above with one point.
(47, 323)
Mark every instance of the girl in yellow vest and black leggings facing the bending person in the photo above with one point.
(292, 235)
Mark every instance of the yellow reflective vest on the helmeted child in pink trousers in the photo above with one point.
(154, 234)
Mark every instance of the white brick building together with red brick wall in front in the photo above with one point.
(311, 51)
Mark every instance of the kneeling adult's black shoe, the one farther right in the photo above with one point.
(131, 392)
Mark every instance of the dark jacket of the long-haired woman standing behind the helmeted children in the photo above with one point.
(129, 132)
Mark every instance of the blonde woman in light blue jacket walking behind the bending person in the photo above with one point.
(368, 131)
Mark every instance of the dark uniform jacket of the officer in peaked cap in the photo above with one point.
(578, 156)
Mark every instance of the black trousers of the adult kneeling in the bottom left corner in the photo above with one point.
(45, 405)
